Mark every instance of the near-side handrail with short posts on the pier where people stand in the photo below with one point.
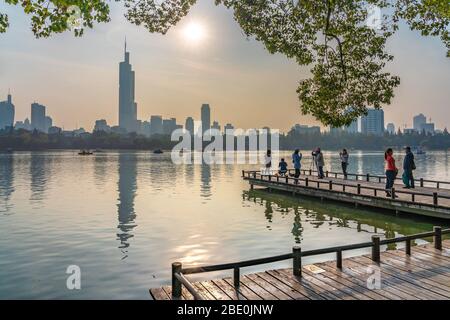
(276, 178)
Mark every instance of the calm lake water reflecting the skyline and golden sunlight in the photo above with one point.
(124, 217)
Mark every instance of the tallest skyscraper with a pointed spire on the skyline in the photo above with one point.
(127, 105)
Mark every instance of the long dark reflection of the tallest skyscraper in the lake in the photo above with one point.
(127, 187)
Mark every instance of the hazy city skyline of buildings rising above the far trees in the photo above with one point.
(370, 124)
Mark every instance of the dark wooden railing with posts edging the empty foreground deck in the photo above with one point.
(179, 279)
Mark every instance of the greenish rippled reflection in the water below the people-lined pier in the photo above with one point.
(327, 215)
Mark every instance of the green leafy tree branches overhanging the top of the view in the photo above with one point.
(342, 40)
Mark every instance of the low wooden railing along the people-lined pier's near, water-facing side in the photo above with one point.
(331, 186)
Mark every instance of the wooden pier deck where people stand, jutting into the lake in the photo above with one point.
(425, 201)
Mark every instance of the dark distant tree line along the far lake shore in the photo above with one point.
(34, 140)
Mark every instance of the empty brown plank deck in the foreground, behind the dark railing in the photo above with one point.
(425, 275)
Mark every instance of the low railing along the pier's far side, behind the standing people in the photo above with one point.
(373, 177)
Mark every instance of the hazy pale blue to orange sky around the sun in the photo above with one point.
(77, 78)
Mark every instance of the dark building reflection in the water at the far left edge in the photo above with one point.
(6, 182)
